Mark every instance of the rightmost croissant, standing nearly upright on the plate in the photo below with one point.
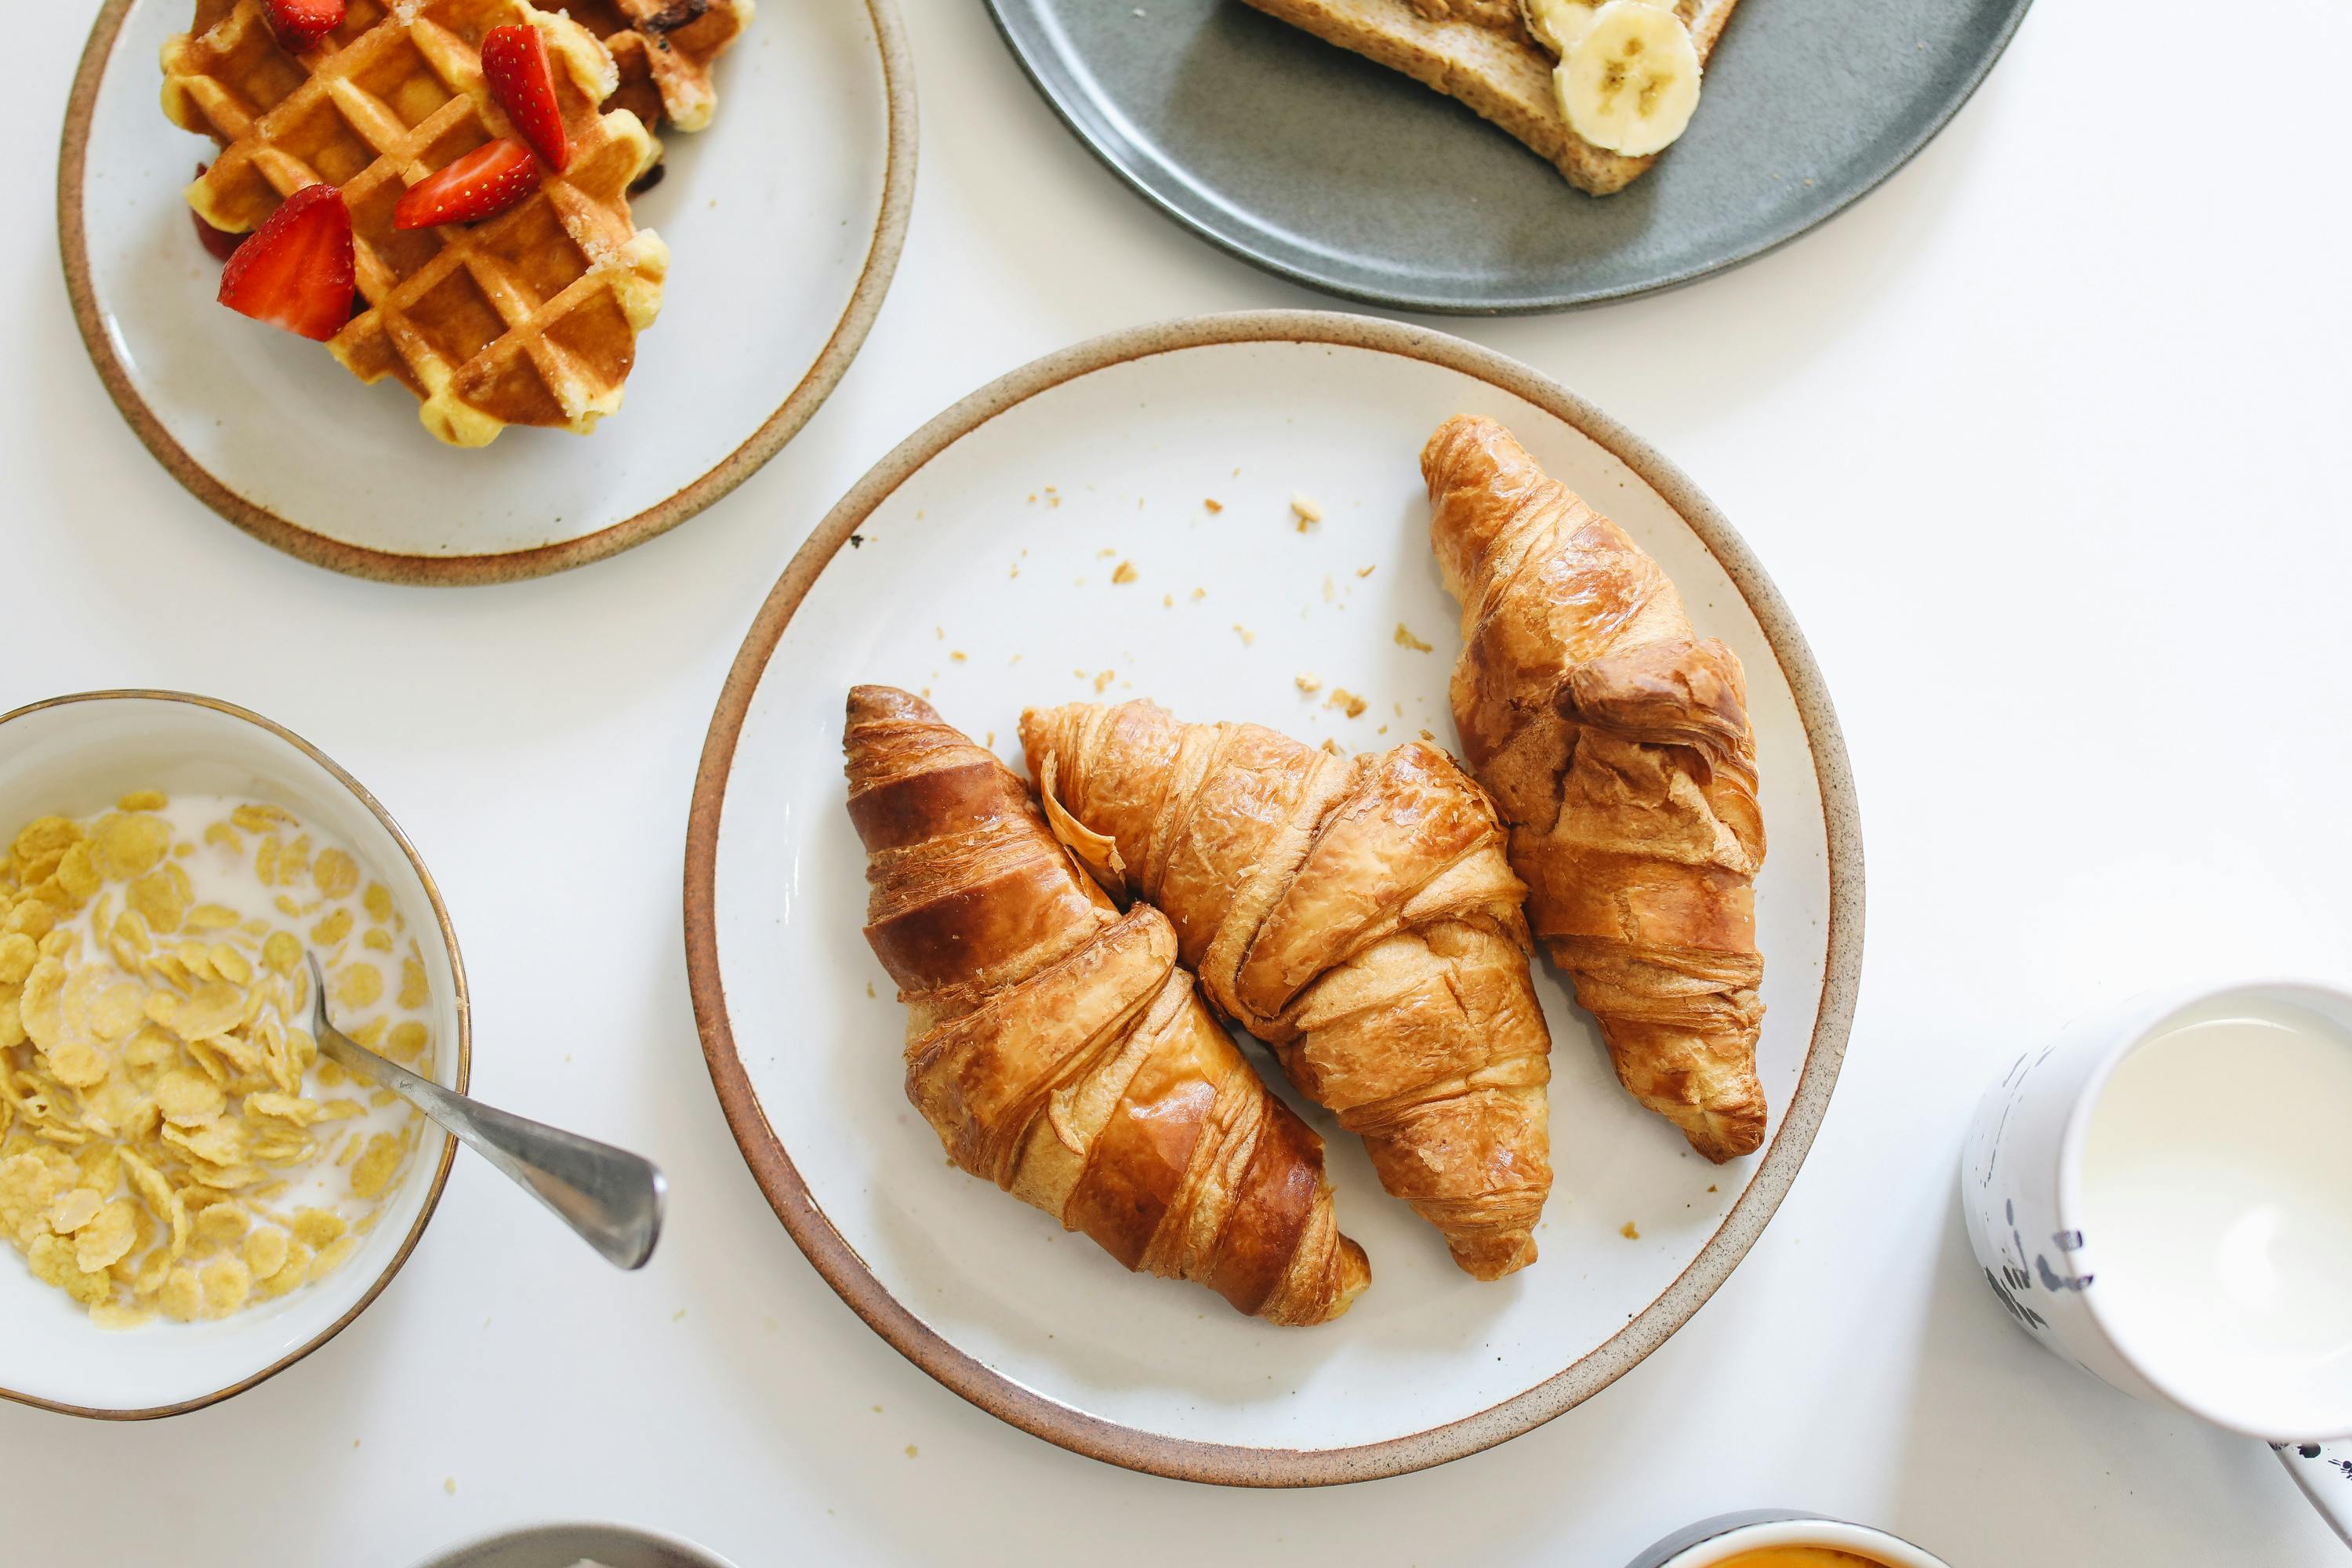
(1617, 744)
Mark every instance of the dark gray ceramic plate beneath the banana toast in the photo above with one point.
(1356, 180)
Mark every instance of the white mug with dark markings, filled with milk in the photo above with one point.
(2165, 1200)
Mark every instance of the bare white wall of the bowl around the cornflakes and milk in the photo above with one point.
(76, 756)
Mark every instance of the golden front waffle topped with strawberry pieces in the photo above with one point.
(530, 319)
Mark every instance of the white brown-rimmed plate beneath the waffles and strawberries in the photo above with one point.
(784, 222)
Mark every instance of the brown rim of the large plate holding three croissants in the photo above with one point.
(1224, 1463)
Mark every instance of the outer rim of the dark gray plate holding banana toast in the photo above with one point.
(1067, 98)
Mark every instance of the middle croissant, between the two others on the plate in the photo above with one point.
(1354, 913)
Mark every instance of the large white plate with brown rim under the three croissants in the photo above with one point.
(977, 565)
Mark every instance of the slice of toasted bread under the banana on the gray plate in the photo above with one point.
(1478, 53)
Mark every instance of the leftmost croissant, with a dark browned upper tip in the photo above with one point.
(1057, 1047)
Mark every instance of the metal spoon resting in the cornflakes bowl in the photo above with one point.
(608, 1195)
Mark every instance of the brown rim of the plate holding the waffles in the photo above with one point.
(512, 565)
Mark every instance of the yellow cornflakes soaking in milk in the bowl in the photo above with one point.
(156, 1097)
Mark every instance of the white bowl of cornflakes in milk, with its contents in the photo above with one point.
(248, 1287)
